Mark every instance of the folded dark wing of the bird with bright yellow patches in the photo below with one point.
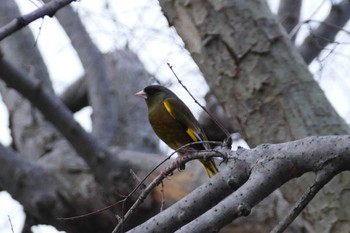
(180, 112)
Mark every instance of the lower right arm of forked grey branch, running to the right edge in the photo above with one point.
(274, 165)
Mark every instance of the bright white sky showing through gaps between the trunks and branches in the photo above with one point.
(141, 25)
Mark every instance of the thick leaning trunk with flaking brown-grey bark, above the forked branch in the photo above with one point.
(258, 76)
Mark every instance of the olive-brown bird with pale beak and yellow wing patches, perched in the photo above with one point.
(174, 123)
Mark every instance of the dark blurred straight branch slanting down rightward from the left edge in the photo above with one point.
(97, 157)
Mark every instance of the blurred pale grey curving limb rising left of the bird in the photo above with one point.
(104, 121)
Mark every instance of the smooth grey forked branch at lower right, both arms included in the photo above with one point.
(249, 177)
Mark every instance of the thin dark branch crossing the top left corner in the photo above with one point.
(48, 9)
